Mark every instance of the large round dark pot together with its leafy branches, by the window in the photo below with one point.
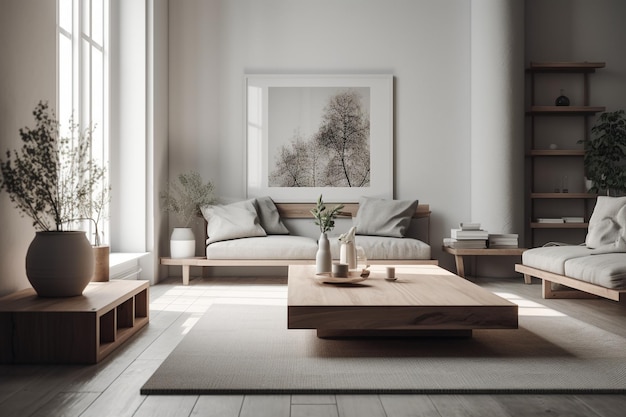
(51, 179)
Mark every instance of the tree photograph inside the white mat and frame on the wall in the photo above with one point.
(319, 137)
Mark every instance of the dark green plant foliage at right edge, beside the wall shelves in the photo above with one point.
(605, 154)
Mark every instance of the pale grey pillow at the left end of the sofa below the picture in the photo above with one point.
(232, 221)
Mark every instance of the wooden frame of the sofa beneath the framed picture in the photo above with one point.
(298, 211)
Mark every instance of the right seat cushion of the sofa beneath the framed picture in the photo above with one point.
(381, 247)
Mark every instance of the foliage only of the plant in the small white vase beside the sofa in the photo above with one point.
(186, 197)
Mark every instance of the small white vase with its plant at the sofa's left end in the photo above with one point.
(185, 198)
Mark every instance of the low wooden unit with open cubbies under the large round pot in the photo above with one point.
(82, 329)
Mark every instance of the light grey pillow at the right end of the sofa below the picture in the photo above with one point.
(379, 217)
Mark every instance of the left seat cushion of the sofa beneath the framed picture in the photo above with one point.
(268, 247)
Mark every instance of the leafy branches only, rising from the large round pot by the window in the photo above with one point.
(51, 179)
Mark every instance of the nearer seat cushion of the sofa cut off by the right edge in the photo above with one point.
(606, 270)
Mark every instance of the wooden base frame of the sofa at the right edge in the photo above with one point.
(580, 289)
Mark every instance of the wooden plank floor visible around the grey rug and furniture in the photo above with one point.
(111, 388)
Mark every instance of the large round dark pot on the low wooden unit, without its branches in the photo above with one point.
(59, 264)
